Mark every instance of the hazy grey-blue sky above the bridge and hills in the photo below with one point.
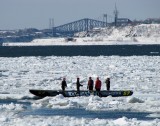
(19, 14)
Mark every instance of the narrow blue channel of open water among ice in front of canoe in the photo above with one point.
(76, 112)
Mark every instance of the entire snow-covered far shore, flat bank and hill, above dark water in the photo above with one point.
(138, 34)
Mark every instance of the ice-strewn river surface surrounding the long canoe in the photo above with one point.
(138, 73)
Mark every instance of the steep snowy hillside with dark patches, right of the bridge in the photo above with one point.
(143, 32)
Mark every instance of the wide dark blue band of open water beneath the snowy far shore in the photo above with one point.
(93, 50)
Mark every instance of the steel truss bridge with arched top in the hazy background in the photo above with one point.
(77, 26)
